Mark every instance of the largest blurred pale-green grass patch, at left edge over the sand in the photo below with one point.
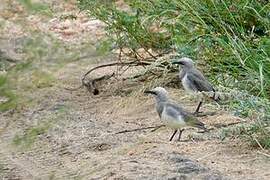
(43, 55)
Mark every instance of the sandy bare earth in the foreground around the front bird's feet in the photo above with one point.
(81, 141)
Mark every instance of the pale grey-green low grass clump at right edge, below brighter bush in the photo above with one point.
(256, 133)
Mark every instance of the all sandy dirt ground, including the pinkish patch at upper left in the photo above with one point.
(73, 134)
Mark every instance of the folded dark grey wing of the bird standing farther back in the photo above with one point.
(198, 81)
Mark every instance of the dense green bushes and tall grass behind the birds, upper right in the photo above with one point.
(230, 40)
